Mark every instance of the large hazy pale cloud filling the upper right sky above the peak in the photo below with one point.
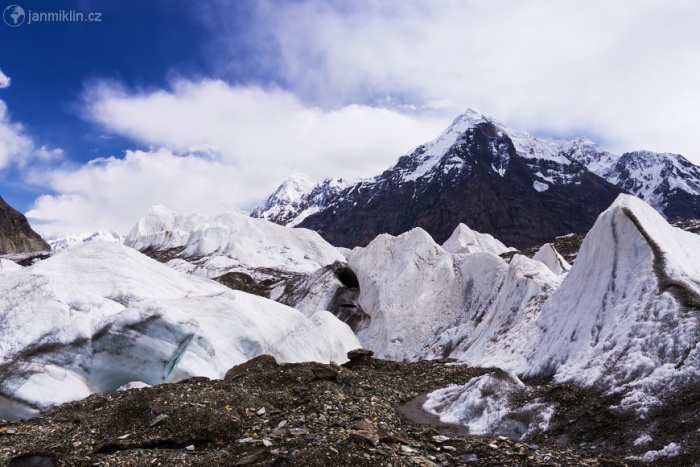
(624, 73)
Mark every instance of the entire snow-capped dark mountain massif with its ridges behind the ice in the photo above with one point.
(521, 189)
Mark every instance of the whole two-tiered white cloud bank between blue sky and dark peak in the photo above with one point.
(238, 143)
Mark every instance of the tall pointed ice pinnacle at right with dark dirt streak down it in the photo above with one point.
(625, 318)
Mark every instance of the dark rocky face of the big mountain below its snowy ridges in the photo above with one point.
(480, 181)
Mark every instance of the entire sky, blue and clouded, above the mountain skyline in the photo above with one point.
(207, 106)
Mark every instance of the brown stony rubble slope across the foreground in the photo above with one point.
(364, 413)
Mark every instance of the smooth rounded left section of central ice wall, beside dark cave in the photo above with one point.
(411, 289)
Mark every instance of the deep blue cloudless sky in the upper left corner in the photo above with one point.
(139, 44)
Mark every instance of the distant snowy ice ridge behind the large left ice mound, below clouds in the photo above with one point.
(212, 245)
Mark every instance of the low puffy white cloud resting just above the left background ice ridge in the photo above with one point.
(112, 193)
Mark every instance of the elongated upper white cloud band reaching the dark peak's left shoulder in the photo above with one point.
(265, 133)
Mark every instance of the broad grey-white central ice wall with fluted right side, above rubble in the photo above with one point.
(425, 302)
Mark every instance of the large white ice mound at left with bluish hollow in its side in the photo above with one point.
(101, 315)
